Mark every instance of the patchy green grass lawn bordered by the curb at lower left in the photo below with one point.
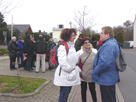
(21, 85)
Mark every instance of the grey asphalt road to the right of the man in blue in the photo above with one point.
(127, 84)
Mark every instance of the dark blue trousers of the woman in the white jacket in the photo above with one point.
(64, 93)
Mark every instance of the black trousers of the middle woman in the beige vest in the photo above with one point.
(91, 88)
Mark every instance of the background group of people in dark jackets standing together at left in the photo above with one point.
(34, 51)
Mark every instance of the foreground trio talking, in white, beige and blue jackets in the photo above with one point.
(87, 65)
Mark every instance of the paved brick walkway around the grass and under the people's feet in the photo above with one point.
(49, 93)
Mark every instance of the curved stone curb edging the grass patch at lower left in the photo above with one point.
(26, 95)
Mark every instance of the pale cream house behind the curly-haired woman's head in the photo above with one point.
(57, 31)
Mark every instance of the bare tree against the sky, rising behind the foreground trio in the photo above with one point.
(83, 20)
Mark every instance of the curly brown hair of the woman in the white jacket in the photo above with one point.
(66, 34)
